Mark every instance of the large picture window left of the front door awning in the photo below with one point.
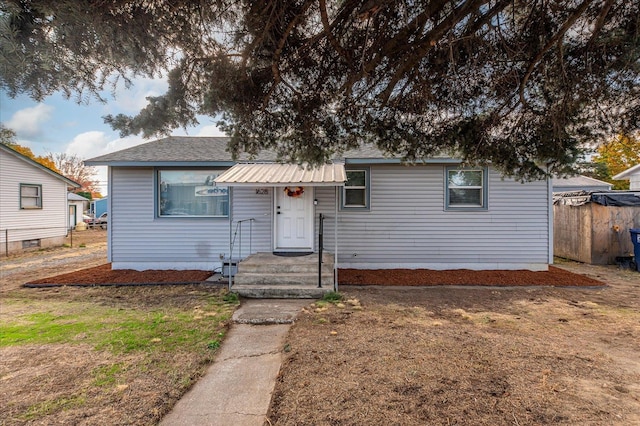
(191, 193)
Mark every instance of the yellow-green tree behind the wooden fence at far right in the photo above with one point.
(614, 157)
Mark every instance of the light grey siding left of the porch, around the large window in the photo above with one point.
(141, 240)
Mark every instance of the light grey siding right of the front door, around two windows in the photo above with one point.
(408, 226)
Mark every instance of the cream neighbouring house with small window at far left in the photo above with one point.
(33, 203)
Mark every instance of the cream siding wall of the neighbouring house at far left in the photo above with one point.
(48, 222)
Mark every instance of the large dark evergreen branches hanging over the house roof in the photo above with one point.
(521, 84)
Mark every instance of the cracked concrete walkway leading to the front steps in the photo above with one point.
(237, 387)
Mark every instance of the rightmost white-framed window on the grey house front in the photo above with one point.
(466, 189)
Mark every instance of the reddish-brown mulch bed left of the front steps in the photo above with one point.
(104, 275)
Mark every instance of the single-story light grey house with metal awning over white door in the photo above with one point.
(172, 206)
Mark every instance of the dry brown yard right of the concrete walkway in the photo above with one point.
(467, 355)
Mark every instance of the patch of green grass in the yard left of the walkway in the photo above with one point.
(119, 330)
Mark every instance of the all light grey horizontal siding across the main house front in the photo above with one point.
(406, 225)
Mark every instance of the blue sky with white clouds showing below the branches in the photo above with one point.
(60, 125)
